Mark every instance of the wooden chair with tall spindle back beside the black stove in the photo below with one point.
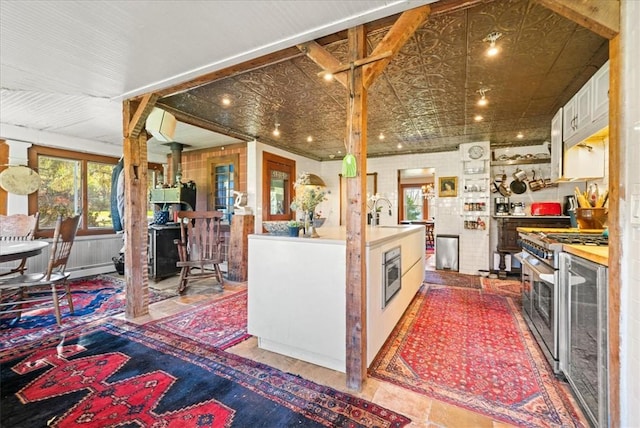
(200, 247)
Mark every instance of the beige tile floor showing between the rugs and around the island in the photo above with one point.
(423, 411)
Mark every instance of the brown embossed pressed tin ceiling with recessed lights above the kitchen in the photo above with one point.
(426, 99)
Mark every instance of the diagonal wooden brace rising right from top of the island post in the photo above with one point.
(393, 41)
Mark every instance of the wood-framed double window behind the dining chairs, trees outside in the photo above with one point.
(72, 182)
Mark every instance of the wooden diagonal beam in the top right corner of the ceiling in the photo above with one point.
(600, 16)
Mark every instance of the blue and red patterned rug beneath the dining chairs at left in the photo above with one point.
(94, 298)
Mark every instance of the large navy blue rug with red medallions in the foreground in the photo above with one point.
(120, 374)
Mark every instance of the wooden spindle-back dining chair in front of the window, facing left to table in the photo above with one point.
(18, 292)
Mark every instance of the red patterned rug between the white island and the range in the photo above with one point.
(472, 349)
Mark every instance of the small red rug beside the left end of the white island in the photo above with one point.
(221, 323)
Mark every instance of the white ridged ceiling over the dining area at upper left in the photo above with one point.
(67, 65)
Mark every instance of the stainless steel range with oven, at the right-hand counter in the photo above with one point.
(541, 294)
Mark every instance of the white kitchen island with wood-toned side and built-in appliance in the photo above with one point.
(297, 292)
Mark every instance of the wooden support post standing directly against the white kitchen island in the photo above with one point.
(356, 278)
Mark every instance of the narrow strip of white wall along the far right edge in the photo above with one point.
(630, 218)
